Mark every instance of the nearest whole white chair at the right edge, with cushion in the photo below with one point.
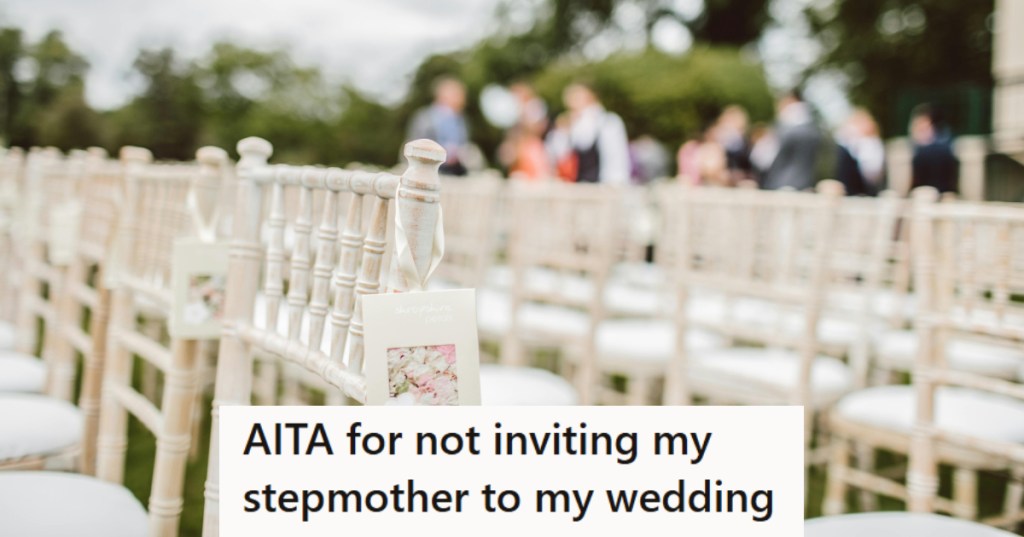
(968, 276)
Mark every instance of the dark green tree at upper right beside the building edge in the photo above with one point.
(890, 48)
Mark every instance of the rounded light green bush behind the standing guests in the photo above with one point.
(669, 98)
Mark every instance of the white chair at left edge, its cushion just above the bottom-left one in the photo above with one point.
(36, 429)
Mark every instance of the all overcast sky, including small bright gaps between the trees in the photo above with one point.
(374, 45)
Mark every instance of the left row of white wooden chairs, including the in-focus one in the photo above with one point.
(109, 302)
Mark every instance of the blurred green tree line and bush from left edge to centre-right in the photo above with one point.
(235, 92)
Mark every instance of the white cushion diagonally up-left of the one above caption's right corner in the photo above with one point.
(628, 342)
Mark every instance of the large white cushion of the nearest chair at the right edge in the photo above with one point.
(957, 410)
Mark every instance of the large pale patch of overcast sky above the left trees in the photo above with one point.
(375, 45)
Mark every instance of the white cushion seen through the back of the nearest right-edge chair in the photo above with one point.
(899, 349)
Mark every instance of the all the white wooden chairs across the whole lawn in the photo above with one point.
(754, 298)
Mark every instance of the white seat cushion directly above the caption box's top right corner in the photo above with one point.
(749, 368)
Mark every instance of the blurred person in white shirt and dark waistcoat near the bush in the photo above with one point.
(591, 140)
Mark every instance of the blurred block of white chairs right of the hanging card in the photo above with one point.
(773, 298)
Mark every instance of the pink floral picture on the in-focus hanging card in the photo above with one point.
(423, 376)
